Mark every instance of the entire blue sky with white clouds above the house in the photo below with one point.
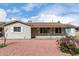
(40, 12)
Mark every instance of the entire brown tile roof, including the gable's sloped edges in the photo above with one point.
(40, 24)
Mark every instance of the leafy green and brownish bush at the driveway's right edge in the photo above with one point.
(67, 45)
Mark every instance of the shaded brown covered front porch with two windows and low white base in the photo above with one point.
(46, 32)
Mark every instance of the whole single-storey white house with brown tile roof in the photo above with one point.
(22, 30)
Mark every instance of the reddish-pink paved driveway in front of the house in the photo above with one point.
(31, 48)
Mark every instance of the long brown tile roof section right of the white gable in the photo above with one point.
(44, 24)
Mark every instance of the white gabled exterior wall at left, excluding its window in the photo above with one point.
(24, 34)
